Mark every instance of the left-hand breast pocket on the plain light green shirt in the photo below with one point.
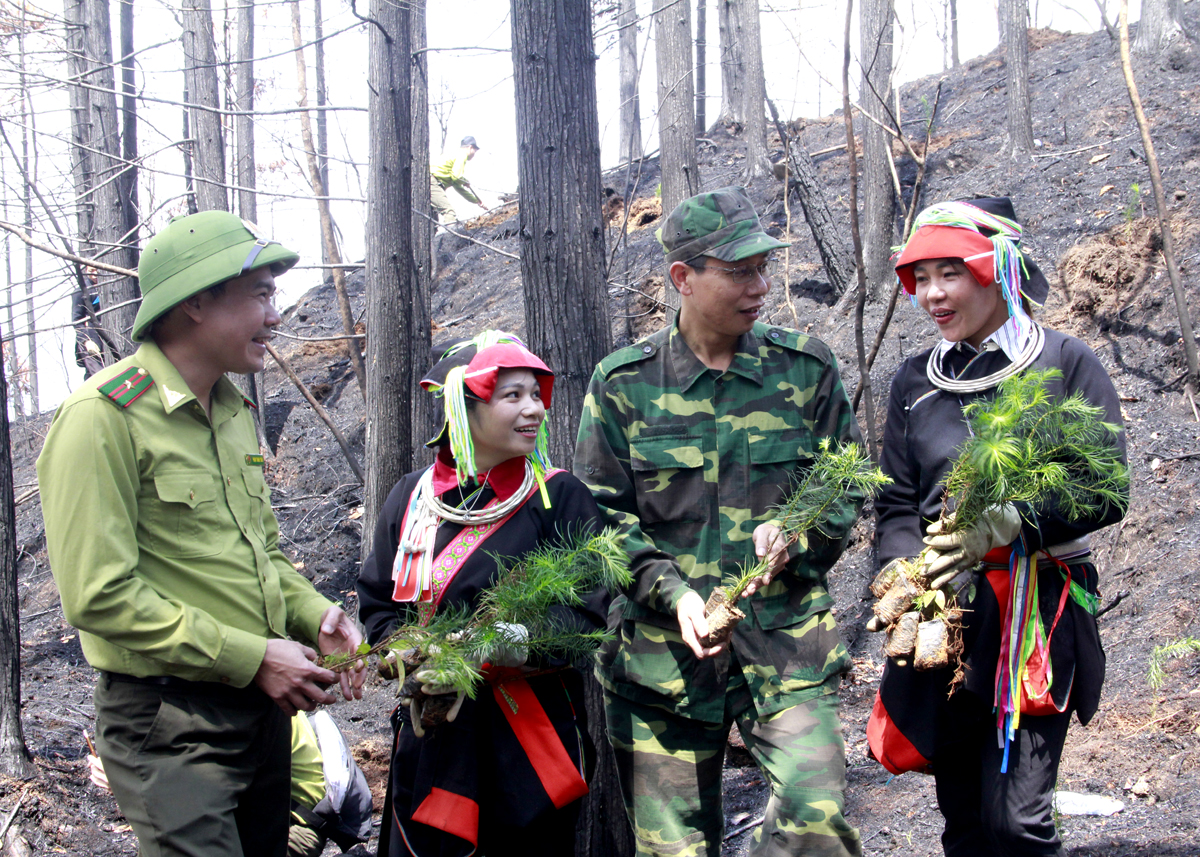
(182, 514)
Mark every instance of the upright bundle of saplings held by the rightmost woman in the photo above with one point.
(1028, 448)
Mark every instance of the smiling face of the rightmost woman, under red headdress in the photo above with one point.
(959, 305)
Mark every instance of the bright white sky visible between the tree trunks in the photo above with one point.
(802, 55)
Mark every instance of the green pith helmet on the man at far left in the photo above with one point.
(196, 253)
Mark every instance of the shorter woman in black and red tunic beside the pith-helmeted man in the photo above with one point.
(506, 775)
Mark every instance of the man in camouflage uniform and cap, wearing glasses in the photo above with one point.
(688, 440)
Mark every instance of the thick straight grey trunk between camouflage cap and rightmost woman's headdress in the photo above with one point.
(875, 94)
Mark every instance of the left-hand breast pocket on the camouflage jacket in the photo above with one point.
(669, 476)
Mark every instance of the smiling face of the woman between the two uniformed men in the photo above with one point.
(507, 427)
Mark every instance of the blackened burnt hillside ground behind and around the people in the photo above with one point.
(1084, 197)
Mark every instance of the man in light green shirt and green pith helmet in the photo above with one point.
(166, 554)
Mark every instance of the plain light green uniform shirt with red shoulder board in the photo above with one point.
(160, 531)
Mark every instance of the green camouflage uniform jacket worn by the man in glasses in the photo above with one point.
(687, 462)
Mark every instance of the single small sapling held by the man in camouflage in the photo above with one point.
(836, 475)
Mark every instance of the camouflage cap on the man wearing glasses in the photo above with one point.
(721, 224)
